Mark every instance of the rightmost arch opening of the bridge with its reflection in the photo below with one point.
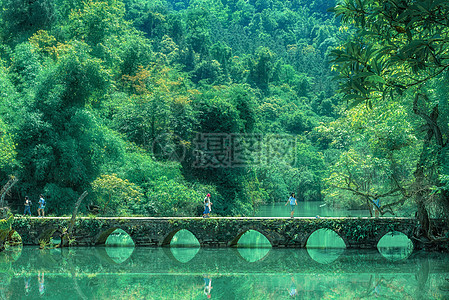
(395, 246)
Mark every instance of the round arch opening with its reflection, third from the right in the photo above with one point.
(253, 246)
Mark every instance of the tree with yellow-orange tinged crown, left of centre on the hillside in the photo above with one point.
(157, 105)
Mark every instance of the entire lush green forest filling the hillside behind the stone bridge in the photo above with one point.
(149, 105)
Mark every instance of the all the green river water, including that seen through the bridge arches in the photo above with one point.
(323, 270)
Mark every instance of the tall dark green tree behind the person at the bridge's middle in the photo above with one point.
(221, 114)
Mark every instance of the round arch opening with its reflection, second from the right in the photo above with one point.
(325, 246)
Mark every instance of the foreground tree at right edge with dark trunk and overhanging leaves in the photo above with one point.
(399, 49)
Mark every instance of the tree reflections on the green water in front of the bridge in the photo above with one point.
(87, 273)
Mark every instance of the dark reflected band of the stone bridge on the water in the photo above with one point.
(163, 260)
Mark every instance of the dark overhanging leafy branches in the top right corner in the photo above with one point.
(407, 46)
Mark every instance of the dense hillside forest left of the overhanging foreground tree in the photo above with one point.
(114, 96)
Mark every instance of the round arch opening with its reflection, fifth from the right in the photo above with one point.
(119, 246)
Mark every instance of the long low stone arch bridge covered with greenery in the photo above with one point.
(214, 232)
